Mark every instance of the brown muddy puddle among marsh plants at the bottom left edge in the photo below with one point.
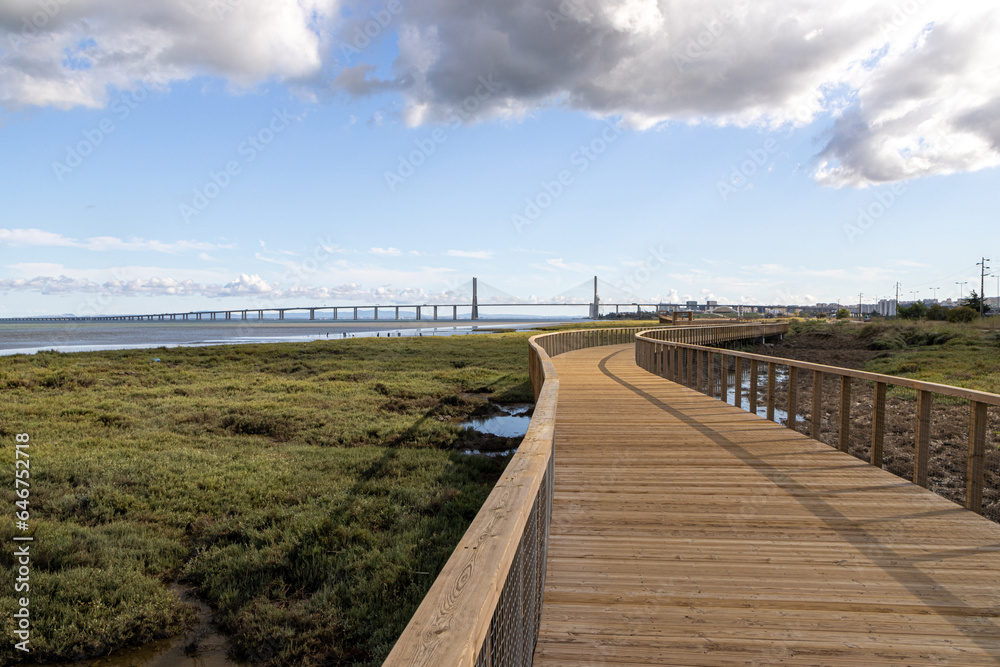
(202, 646)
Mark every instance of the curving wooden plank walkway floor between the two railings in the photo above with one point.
(688, 532)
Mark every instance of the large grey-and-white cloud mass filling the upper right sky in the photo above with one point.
(912, 86)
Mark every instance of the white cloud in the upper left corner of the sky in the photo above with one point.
(76, 52)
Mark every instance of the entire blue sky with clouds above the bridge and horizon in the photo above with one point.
(176, 155)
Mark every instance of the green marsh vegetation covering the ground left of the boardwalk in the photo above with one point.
(309, 492)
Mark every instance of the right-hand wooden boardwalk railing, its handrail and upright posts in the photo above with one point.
(651, 345)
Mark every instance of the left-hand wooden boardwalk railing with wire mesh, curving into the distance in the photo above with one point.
(484, 607)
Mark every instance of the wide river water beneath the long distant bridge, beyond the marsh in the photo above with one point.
(87, 337)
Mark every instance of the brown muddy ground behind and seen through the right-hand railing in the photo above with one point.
(949, 418)
